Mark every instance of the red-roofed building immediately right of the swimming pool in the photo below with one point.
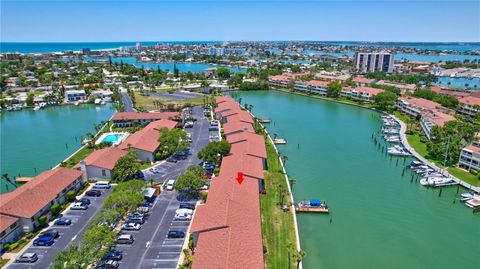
(145, 141)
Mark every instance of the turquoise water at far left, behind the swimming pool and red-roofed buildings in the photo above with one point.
(33, 141)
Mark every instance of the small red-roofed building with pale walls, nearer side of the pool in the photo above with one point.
(100, 163)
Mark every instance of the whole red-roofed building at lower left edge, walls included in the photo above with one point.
(21, 209)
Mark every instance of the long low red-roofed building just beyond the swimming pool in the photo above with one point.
(133, 119)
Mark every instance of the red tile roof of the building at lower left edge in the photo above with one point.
(30, 198)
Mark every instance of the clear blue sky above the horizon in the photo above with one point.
(159, 20)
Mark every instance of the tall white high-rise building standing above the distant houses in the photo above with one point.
(374, 61)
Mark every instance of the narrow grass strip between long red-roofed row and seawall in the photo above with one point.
(278, 228)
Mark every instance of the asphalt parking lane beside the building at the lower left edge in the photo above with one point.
(68, 234)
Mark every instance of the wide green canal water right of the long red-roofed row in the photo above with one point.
(378, 219)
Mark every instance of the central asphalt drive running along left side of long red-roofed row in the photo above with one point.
(151, 248)
